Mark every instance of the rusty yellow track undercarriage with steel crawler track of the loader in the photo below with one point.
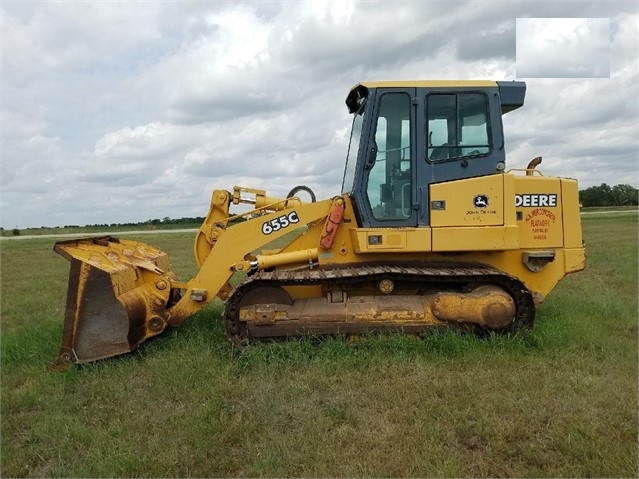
(360, 299)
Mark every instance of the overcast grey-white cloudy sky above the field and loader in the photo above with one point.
(116, 112)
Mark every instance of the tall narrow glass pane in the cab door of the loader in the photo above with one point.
(389, 178)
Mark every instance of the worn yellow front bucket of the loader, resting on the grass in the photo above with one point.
(117, 297)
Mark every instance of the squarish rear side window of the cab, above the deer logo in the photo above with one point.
(457, 126)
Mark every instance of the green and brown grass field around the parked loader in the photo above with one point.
(559, 401)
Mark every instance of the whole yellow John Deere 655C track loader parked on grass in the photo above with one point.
(430, 230)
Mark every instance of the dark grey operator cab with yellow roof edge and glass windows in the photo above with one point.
(409, 135)
